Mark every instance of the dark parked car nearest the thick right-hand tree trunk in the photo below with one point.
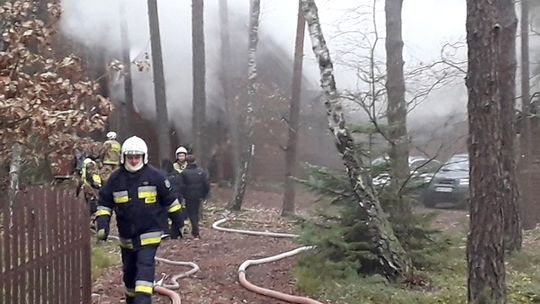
(449, 185)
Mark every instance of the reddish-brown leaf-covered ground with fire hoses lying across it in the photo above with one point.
(219, 254)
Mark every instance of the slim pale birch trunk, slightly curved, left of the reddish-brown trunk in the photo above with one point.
(240, 182)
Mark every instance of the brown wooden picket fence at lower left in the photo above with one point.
(45, 249)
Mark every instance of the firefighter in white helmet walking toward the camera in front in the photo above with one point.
(139, 194)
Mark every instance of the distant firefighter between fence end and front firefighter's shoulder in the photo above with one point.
(90, 184)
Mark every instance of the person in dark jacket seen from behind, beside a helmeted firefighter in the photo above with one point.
(195, 189)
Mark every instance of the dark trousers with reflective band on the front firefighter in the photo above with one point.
(138, 266)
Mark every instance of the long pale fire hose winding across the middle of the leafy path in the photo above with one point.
(243, 267)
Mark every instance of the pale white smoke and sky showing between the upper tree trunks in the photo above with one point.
(428, 24)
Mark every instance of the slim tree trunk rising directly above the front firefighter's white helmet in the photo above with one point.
(127, 104)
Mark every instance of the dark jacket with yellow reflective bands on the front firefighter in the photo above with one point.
(139, 200)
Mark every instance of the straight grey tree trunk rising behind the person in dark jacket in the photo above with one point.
(199, 80)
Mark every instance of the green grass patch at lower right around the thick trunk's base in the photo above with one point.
(446, 274)
